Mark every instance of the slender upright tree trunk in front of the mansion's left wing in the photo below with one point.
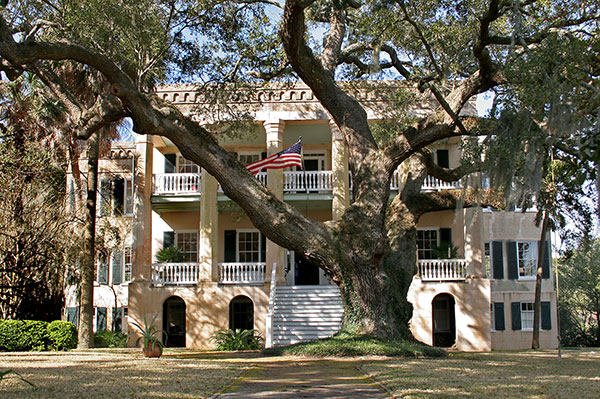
(86, 299)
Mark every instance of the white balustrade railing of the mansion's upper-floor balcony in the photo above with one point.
(322, 180)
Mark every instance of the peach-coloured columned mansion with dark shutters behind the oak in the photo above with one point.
(477, 295)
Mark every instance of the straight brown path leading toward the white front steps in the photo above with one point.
(305, 378)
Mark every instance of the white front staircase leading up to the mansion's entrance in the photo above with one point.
(306, 312)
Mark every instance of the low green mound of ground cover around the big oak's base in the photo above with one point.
(352, 345)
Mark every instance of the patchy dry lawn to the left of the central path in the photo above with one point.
(113, 374)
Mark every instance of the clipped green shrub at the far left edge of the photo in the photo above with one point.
(23, 335)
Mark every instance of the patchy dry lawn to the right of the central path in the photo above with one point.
(497, 375)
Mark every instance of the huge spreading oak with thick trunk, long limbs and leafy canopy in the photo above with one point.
(540, 58)
